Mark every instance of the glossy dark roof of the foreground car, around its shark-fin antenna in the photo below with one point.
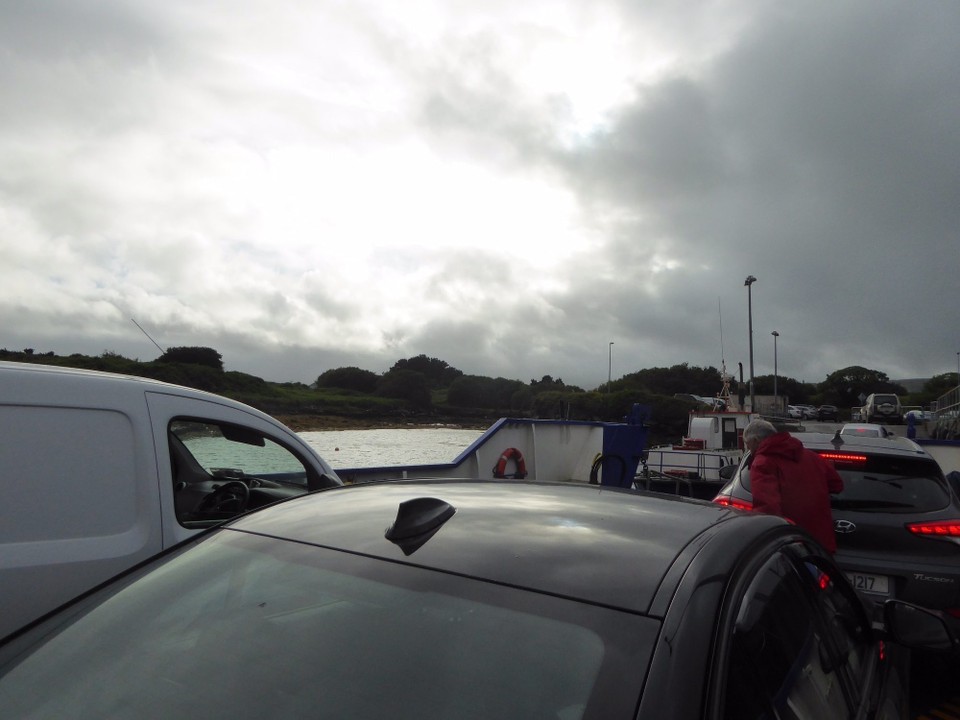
(618, 548)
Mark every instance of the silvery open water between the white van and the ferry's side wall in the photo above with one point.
(377, 448)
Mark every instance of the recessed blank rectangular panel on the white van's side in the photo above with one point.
(67, 473)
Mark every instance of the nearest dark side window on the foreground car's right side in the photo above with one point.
(782, 661)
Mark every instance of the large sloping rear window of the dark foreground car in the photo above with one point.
(245, 626)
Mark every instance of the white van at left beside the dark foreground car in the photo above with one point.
(100, 471)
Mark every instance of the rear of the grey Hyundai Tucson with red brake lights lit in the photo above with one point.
(897, 522)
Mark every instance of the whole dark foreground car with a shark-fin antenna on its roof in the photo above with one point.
(618, 604)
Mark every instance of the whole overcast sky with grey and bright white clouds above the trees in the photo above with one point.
(507, 186)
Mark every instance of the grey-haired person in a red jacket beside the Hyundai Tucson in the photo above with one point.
(787, 479)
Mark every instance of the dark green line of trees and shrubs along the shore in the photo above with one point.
(426, 388)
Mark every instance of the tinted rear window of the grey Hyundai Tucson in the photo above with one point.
(884, 484)
